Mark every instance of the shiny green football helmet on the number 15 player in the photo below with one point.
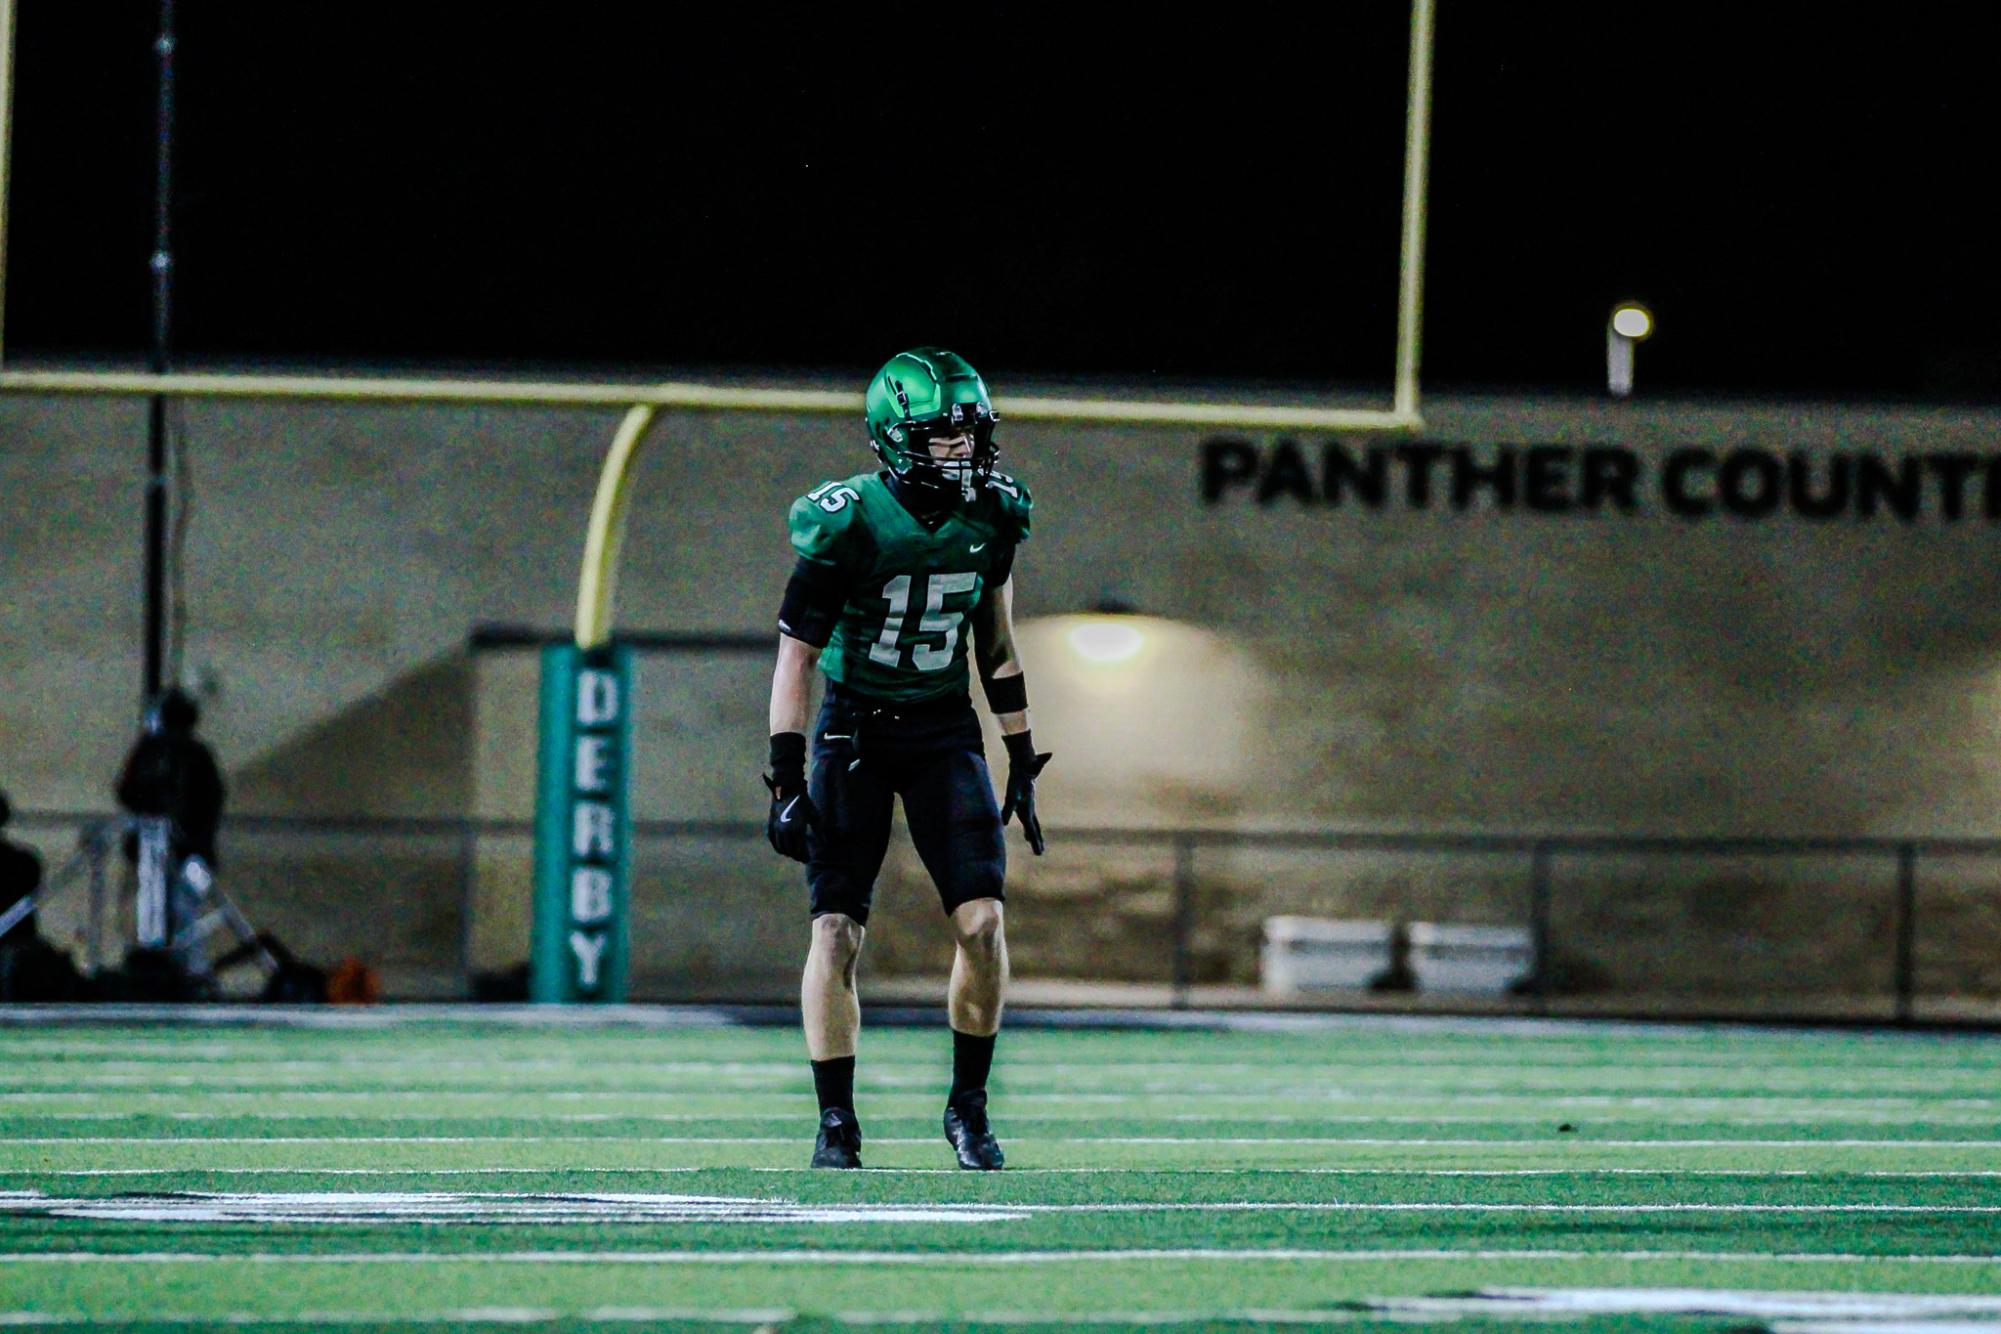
(931, 395)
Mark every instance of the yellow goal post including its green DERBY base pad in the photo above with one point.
(583, 827)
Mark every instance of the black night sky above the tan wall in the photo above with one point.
(1800, 191)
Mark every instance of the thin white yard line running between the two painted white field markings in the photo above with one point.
(833, 1257)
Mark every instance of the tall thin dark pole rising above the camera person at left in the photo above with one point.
(163, 351)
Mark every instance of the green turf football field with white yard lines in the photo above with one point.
(455, 1171)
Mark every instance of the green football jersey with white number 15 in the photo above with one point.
(909, 589)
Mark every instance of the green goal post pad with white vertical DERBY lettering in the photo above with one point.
(583, 831)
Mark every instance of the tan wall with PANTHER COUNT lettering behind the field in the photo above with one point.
(1398, 667)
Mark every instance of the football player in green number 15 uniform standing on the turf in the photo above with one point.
(893, 571)
